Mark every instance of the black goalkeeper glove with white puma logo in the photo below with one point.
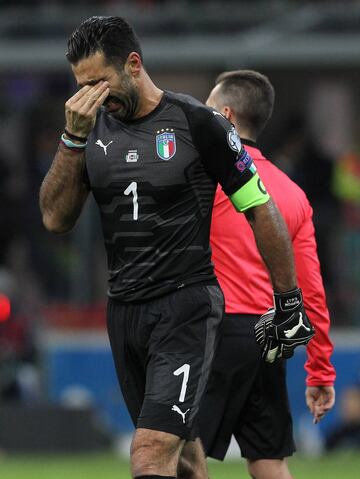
(281, 329)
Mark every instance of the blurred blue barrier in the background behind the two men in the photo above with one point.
(73, 364)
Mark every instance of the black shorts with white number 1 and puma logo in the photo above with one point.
(163, 350)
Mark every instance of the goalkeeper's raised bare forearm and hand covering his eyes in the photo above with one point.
(63, 191)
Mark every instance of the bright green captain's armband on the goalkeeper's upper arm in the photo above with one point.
(253, 193)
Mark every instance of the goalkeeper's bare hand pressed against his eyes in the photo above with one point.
(81, 109)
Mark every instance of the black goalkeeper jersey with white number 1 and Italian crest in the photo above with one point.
(154, 181)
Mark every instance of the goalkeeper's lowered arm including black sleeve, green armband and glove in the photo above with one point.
(229, 164)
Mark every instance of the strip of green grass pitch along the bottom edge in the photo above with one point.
(107, 466)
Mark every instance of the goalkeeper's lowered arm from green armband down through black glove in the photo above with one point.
(281, 329)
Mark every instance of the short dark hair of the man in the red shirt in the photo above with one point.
(250, 95)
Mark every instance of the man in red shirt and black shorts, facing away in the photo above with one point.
(247, 395)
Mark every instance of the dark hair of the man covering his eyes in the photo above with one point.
(112, 36)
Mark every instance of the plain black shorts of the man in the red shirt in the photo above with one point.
(246, 397)
